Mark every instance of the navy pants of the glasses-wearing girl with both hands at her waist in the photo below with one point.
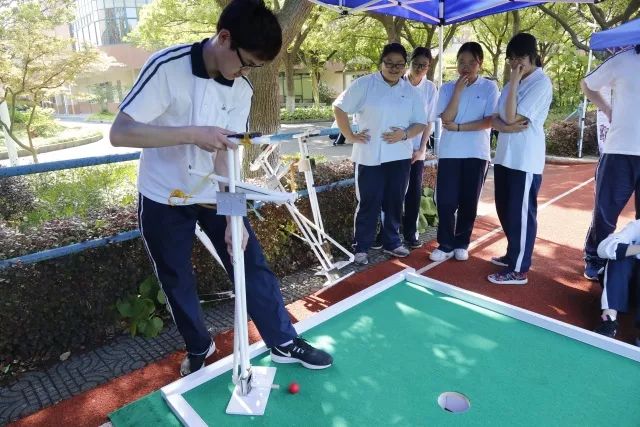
(380, 188)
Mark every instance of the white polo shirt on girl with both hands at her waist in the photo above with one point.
(378, 107)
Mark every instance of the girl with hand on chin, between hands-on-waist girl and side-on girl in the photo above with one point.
(465, 107)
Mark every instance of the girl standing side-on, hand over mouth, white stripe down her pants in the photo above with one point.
(519, 161)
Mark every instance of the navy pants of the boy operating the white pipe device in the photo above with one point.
(168, 233)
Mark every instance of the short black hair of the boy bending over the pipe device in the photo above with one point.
(253, 27)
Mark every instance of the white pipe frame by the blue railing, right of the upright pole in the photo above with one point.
(312, 232)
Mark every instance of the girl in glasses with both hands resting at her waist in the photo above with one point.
(389, 112)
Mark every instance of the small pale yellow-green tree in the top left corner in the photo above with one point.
(34, 61)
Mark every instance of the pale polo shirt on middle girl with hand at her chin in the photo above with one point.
(477, 101)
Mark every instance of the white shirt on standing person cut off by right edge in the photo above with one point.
(622, 73)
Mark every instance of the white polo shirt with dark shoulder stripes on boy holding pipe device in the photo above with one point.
(174, 89)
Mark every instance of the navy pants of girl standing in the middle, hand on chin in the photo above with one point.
(458, 187)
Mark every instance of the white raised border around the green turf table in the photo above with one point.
(172, 393)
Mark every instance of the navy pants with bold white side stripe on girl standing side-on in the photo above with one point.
(516, 194)
